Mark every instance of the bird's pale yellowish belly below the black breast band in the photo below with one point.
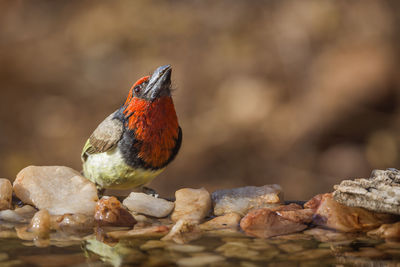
(108, 170)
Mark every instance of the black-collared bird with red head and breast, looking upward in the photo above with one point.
(135, 143)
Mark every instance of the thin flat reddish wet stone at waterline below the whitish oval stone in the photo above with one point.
(148, 232)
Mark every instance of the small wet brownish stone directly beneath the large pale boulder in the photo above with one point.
(72, 223)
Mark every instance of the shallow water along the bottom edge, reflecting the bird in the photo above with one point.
(316, 247)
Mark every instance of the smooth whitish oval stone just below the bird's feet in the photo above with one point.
(148, 205)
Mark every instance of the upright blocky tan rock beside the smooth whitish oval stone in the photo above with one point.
(191, 205)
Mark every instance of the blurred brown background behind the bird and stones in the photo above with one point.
(299, 93)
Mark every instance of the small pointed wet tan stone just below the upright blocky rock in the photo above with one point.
(183, 232)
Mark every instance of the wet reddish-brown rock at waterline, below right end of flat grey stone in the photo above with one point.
(266, 222)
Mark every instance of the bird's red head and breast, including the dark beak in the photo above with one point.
(151, 115)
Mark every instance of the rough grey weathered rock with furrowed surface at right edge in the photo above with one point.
(379, 193)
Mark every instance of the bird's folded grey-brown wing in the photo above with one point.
(105, 137)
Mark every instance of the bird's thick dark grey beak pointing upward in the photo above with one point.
(159, 83)
